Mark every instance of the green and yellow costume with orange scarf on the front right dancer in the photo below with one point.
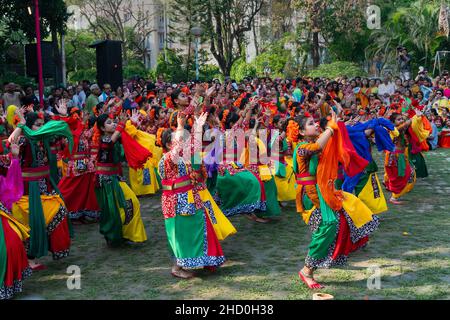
(340, 223)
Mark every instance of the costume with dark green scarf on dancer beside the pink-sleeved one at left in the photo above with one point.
(41, 208)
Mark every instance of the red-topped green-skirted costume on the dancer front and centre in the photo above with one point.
(190, 214)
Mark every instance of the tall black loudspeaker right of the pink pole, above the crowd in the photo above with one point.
(109, 62)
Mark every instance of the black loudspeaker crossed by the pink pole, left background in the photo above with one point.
(48, 60)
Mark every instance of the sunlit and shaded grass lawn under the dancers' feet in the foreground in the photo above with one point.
(411, 248)
